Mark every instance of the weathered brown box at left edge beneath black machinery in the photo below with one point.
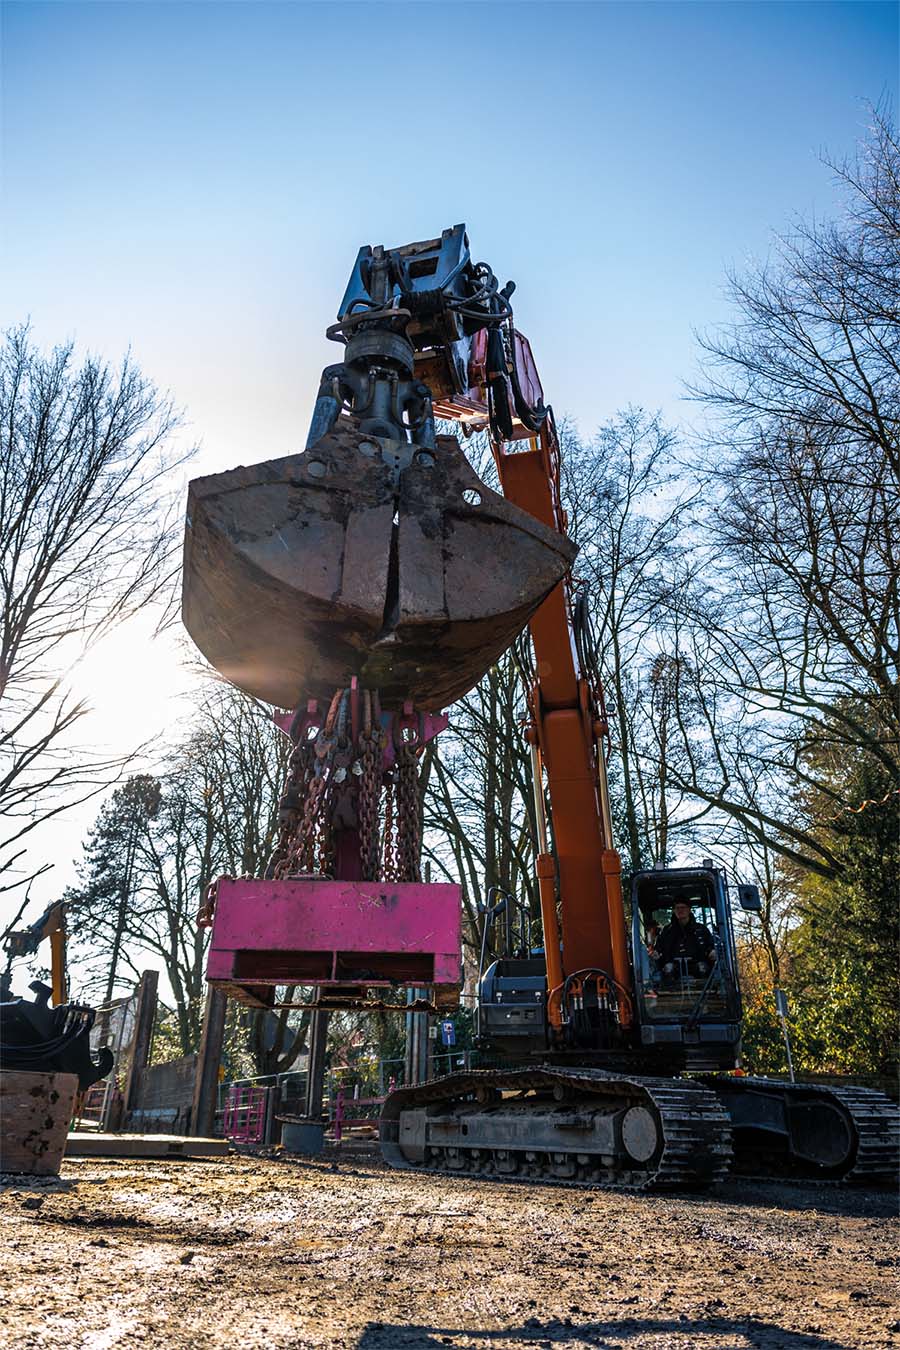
(36, 1110)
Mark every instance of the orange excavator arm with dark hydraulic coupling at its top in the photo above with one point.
(480, 371)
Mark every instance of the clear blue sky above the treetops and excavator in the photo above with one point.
(194, 182)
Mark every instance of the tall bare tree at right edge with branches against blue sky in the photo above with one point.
(797, 635)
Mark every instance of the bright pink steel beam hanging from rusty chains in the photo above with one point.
(335, 934)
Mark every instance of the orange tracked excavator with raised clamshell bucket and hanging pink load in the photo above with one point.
(362, 587)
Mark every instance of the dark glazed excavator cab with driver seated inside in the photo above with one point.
(689, 1005)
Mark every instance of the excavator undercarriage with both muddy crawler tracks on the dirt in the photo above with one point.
(592, 1128)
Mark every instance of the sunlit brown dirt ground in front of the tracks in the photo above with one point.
(266, 1253)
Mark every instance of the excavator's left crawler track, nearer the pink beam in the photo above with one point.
(569, 1128)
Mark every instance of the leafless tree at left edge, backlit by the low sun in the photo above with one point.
(84, 542)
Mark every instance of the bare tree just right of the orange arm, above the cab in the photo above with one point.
(629, 508)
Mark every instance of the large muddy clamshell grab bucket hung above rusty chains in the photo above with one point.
(362, 557)
